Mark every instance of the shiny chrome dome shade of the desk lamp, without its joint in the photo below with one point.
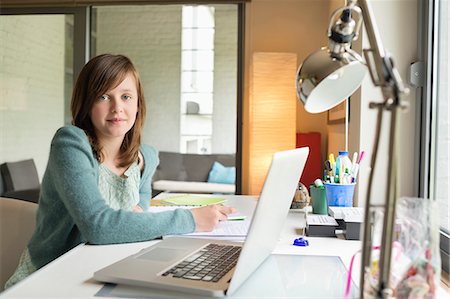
(324, 81)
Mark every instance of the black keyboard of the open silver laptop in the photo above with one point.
(210, 263)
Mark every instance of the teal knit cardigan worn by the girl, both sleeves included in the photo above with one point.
(72, 211)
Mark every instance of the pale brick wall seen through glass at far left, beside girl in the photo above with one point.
(32, 52)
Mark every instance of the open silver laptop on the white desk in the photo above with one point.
(216, 267)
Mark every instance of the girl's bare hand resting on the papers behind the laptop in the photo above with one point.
(206, 218)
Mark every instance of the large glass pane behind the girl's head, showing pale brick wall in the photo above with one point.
(187, 59)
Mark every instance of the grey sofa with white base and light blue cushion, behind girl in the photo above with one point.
(191, 173)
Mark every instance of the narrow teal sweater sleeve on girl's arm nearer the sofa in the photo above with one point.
(151, 161)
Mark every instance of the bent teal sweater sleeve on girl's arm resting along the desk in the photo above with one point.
(75, 179)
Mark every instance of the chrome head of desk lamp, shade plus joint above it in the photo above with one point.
(327, 77)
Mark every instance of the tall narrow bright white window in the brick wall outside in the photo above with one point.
(197, 79)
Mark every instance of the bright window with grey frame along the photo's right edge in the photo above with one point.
(436, 118)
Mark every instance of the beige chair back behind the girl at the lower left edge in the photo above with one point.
(17, 223)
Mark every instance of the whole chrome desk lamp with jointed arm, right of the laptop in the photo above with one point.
(329, 76)
